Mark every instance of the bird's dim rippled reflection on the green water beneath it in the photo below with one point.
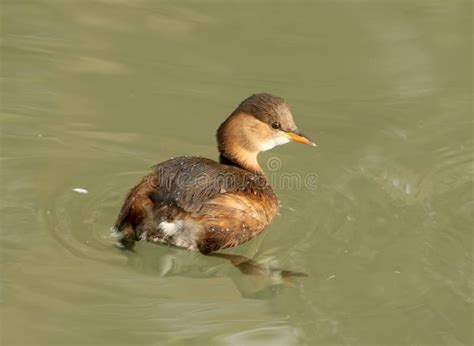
(252, 278)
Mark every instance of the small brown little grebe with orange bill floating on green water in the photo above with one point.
(200, 204)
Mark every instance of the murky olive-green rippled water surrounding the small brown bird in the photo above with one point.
(95, 92)
